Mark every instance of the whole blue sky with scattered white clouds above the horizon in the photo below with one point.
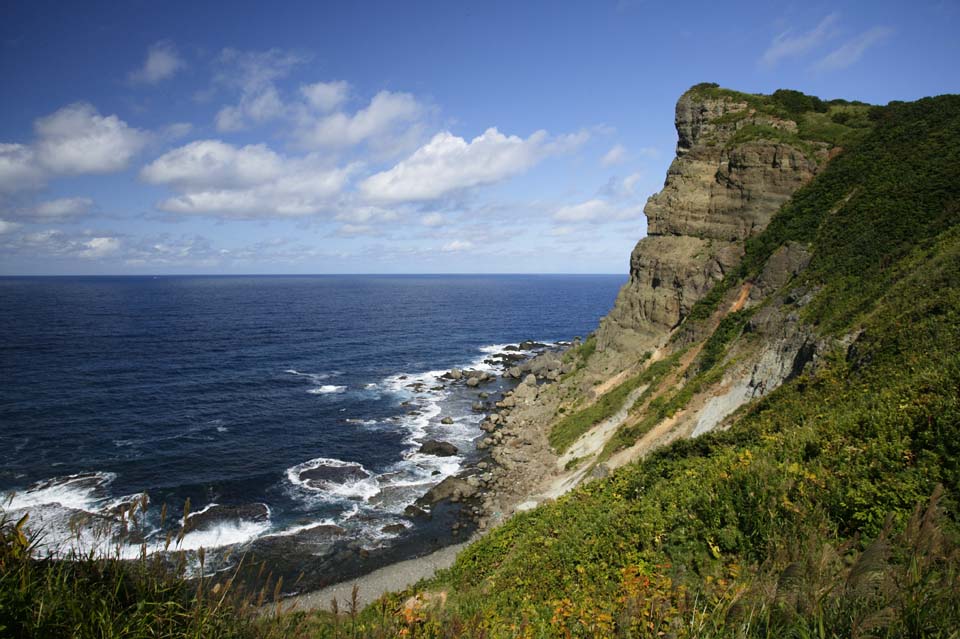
(146, 137)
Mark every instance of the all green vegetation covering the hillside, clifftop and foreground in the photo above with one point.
(827, 508)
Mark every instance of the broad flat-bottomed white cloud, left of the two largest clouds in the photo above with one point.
(216, 178)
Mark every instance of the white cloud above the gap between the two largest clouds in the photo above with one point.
(385, 113)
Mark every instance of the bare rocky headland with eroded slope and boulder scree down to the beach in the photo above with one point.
(737, 162)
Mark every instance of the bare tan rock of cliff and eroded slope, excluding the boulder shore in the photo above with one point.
(722, 188)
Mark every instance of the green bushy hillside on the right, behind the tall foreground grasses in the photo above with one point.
(822, 460)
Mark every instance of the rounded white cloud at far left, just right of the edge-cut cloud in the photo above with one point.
(77, 139)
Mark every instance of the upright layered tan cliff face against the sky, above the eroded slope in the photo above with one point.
(726, 182)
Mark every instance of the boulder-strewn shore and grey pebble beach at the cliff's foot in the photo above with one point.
(514, 463)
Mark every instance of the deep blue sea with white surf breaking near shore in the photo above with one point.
(225, 390)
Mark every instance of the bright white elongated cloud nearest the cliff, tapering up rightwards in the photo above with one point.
(448, 163)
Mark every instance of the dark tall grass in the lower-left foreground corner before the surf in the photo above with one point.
(102, 596)
